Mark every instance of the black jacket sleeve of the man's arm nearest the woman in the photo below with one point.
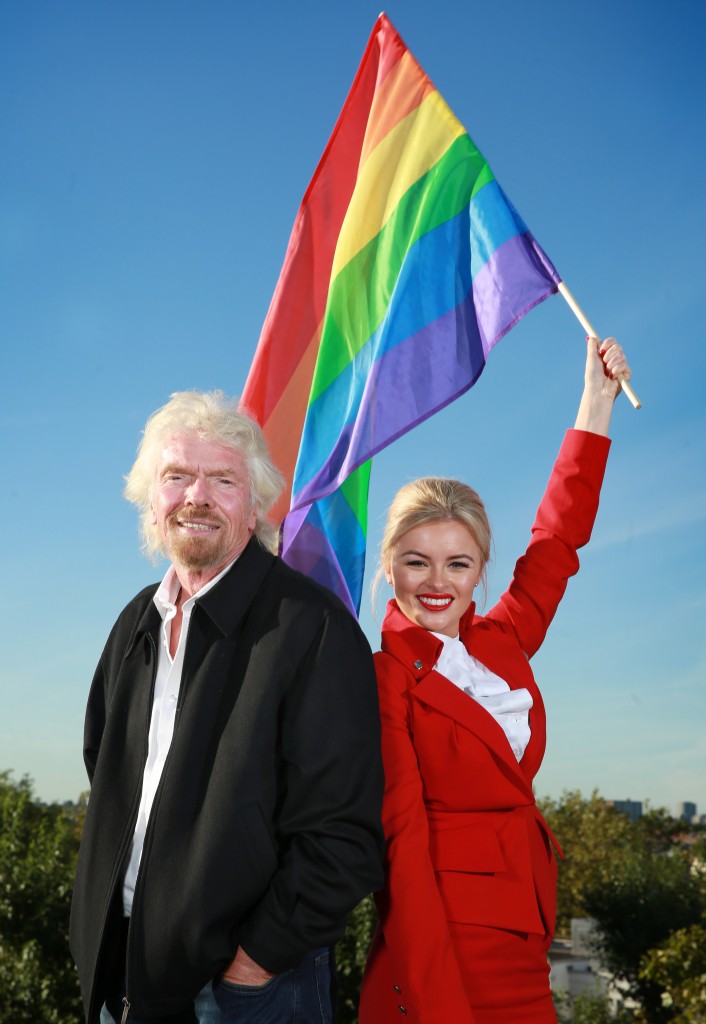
(329, 827)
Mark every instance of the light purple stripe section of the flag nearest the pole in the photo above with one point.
(518, 277)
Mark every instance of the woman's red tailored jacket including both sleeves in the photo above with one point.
(466, 841)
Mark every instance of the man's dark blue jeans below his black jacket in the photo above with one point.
(302, 996)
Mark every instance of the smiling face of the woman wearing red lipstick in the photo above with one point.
(434, 570)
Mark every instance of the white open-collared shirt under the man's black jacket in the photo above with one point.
(164, 705)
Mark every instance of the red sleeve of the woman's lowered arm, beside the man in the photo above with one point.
(410, 908)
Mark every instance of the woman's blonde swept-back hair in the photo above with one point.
(433, 499)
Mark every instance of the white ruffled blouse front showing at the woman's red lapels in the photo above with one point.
(511, 709)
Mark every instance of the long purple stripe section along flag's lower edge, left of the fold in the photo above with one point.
(405, 387)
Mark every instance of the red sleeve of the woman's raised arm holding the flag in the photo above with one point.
(564, 524)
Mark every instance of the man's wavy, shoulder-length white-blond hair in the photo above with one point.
(212, 416)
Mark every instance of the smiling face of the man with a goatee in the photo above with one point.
(201, 503)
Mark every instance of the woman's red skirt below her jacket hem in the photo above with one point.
(506, 976)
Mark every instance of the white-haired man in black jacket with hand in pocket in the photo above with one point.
(232, 742)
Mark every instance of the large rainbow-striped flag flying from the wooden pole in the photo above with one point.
(406, 265)
